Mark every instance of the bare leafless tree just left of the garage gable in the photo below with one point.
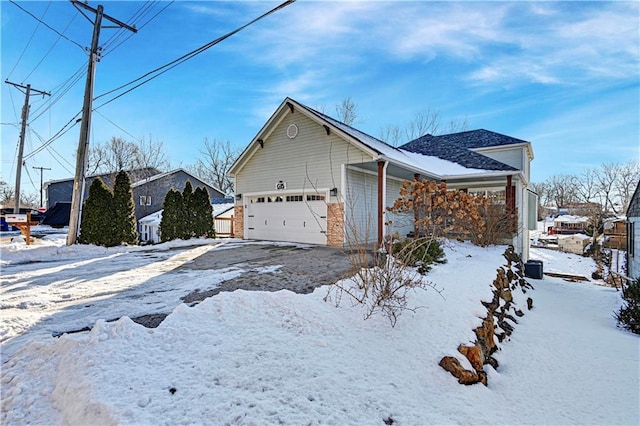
(215, 163)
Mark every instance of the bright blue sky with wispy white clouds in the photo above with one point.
(562, 75)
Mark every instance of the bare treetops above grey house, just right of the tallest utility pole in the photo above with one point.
(119, 154)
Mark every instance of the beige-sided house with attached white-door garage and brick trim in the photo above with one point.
(308, 178)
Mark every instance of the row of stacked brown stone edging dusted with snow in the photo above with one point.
(498, 323)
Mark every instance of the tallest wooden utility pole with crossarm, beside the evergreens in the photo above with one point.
(85, 127)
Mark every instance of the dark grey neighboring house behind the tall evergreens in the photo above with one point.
(149, 189)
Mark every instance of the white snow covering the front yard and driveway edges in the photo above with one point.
(283, 358)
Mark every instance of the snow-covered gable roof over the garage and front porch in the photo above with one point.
(465, 163)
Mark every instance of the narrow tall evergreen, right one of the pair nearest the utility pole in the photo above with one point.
(125, 210)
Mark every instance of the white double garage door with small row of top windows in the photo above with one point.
(287, 217)
